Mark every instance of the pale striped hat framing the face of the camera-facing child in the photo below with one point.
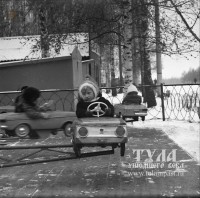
(89, 82)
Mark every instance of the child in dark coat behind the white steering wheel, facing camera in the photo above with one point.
(88, 94)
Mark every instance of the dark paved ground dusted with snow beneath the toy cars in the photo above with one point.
(104, 175)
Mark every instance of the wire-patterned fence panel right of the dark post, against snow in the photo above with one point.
(182, 103)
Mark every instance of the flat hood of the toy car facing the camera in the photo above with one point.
(110, 121)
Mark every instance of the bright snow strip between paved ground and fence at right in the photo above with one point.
(183, 133)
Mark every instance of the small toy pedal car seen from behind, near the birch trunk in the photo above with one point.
(133, 111)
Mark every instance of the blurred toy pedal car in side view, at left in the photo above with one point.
(20, 125)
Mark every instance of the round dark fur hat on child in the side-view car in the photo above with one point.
(31, 94)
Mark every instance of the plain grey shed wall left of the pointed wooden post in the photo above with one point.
(50, 73)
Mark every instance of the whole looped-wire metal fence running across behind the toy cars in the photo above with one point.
(175, 102)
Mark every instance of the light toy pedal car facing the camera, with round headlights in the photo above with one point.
(99, 131)
